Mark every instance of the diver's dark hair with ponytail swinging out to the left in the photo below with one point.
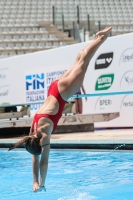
(32, 145)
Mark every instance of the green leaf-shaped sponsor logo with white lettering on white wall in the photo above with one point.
(104, 82)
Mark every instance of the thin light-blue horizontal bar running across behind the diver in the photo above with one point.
(74, 96)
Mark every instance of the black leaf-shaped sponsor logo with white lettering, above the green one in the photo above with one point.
(104, 60)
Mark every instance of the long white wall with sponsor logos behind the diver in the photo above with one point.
(117, 58)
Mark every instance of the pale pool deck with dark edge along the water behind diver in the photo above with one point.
(100, 139)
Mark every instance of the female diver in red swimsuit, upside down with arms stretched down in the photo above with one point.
(48, 115)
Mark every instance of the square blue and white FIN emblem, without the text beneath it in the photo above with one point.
(34, 82)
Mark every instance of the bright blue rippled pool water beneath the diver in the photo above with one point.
(72, 175)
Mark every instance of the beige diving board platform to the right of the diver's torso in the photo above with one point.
(82, 123)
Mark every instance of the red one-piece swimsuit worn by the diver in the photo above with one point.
(53, 90)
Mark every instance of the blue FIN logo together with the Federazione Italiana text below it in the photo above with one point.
(35, 87)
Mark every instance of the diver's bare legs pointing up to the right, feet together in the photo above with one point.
(72, 81)
